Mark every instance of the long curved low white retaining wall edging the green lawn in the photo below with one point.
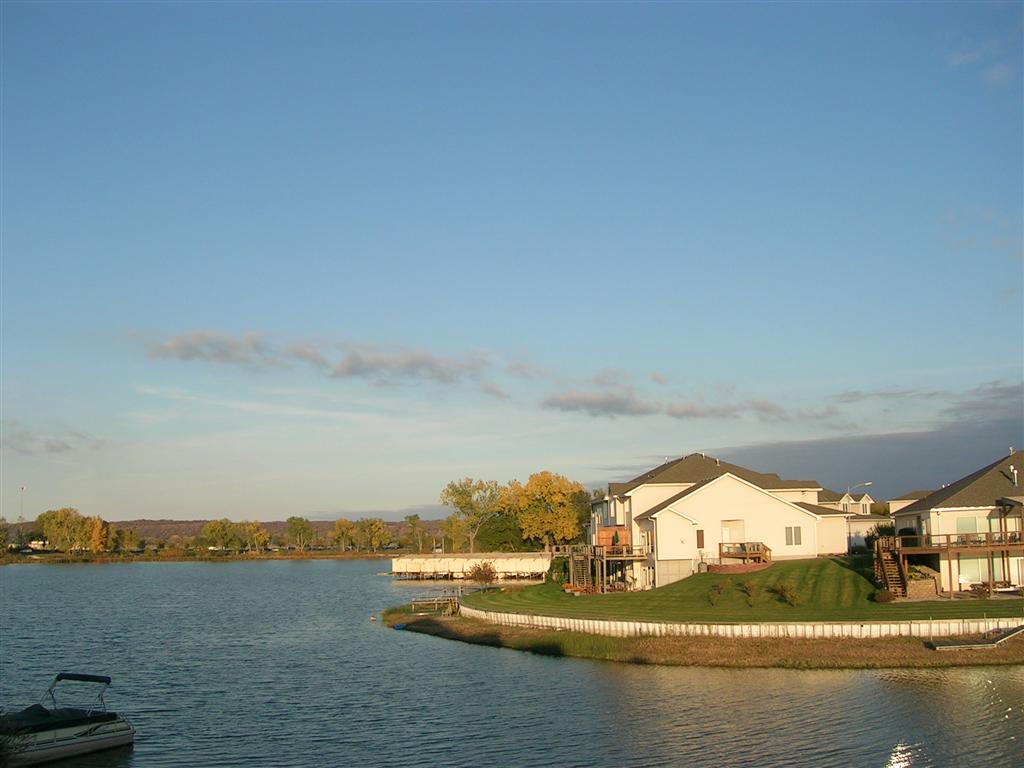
(859, 630)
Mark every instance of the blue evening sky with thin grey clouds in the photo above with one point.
(322, 259)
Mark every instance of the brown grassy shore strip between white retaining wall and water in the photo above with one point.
(882, 654)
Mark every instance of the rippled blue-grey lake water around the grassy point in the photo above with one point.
(277, 663)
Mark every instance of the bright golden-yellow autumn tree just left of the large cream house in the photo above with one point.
(548, 507)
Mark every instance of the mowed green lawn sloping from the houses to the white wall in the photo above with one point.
(830, 590)
